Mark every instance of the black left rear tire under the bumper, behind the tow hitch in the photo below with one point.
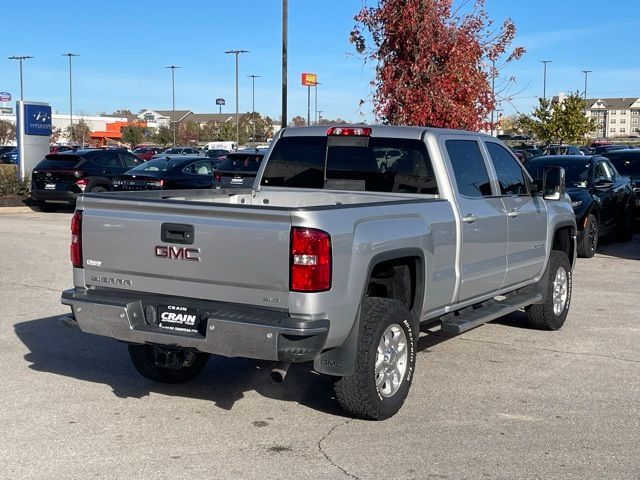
(143, 358)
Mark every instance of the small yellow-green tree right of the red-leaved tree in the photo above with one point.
(558, 122)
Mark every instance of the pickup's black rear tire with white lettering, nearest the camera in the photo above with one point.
(359, 394)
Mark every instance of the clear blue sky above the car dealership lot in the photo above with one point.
(124, 46)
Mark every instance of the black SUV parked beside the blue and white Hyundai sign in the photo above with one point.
(60, 177)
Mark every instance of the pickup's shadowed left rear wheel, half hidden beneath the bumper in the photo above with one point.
(167, 365)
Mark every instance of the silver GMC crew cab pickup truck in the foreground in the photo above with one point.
(351, 240)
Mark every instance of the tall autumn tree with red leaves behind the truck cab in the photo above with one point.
(434, 65)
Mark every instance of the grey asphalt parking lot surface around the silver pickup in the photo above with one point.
(498, 402)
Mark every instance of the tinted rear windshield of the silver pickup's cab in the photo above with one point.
(351, 163)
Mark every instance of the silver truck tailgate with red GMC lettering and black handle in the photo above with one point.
(242, 251)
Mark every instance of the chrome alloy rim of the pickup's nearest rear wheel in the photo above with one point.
(391, 360)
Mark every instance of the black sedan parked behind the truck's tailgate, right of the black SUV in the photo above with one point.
(168, 174)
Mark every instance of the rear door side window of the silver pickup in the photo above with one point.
(469, 168)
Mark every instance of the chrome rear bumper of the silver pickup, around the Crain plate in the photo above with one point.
(226, 329)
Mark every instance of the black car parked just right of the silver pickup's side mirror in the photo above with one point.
(602, 199)
